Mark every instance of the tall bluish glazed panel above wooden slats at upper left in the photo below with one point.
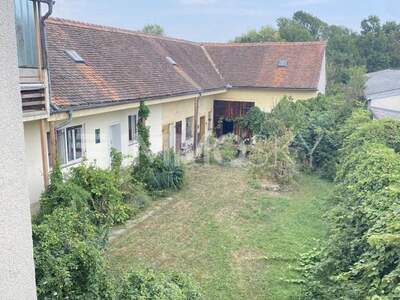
(26, 34)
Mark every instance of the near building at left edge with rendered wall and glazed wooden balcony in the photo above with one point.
(19, 47)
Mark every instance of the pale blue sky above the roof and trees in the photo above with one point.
(219, 20)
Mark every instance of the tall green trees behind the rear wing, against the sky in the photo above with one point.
(375, 47)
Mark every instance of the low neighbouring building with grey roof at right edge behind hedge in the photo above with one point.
(383, 93)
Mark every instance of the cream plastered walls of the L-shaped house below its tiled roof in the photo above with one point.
(165, 116)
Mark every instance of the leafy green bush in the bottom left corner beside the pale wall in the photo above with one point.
(69, 257)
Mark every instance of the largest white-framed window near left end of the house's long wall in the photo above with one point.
(69, 144)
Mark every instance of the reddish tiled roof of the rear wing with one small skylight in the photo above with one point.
(256, 65)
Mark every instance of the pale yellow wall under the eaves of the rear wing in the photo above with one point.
(265, 99)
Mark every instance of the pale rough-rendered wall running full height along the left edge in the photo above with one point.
(17, 273)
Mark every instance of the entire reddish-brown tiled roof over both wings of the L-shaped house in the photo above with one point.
(122, 65)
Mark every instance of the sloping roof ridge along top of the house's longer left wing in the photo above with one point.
(87, 25)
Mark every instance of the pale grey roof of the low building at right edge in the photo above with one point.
(382, 84)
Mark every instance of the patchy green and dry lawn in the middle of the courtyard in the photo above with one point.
(237, 240)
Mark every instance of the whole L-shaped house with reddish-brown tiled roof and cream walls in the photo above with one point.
(99, 75)
